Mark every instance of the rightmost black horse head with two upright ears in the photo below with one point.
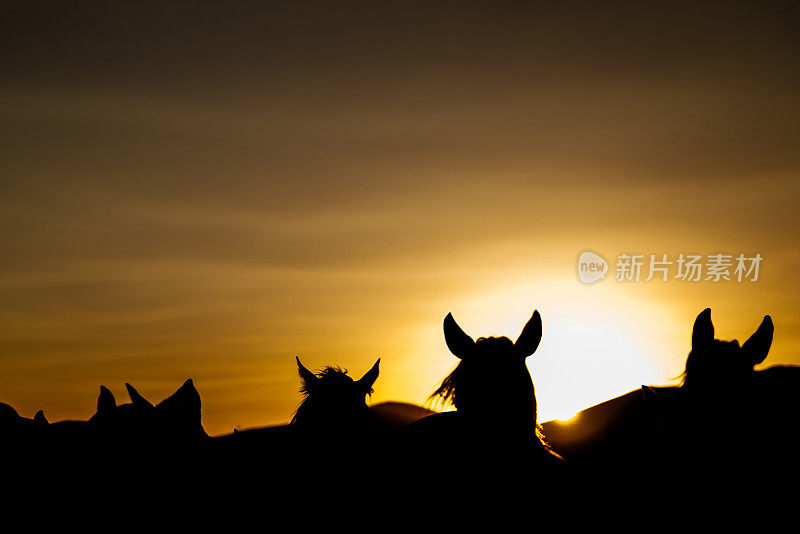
(713, 364)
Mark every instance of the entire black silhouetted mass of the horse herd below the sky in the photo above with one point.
(727, 424)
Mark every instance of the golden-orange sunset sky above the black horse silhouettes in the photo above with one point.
(208, 191)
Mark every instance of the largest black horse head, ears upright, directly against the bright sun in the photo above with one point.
(492, 380)
